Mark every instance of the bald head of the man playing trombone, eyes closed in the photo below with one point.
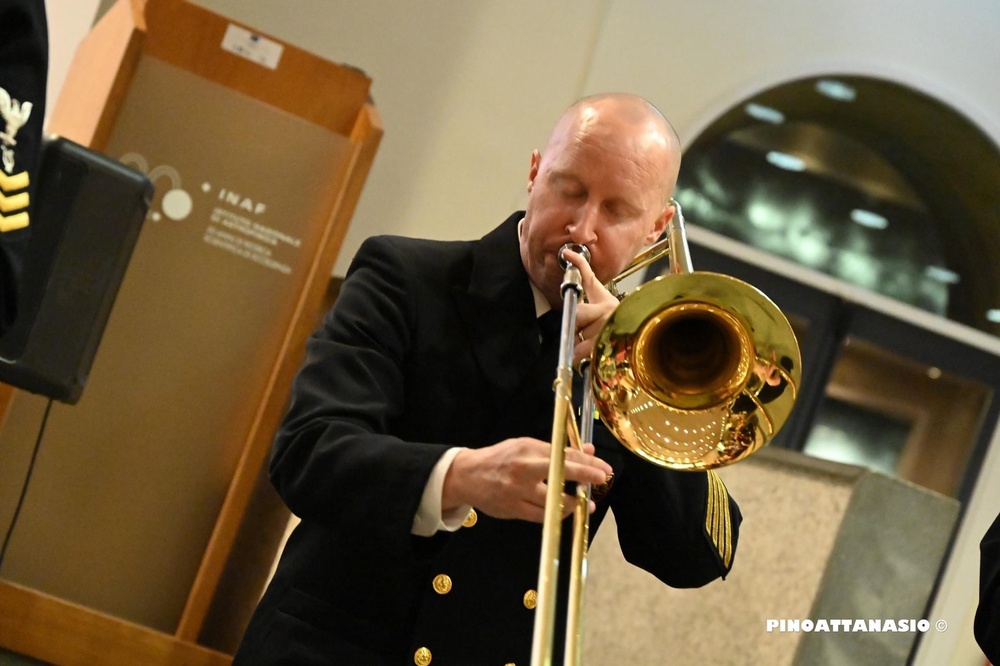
(604, 180)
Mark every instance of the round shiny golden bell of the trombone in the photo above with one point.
(695, 370)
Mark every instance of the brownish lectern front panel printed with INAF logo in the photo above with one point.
(243, 193)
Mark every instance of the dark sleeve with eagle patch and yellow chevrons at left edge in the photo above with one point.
(23, 76)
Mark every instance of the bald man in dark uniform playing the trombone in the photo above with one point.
(415, 448)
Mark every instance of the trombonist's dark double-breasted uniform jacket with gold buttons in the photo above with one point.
(432, 345)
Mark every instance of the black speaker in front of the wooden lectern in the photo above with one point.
(88, 211)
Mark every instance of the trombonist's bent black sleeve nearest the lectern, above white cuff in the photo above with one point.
(335, 460)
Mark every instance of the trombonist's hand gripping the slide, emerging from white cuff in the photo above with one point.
(507, 480)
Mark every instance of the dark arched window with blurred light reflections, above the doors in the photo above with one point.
(867, 180)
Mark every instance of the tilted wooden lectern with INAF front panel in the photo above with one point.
(258, 152)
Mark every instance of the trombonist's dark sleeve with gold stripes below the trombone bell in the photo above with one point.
(682, 527)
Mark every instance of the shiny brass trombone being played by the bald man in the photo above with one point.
(692, 371)
